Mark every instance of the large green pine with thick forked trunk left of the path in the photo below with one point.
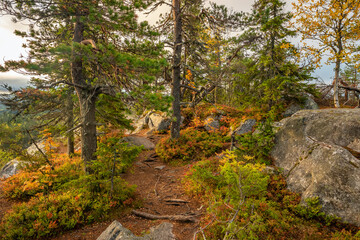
(98, 48)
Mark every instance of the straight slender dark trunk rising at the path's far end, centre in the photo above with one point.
(176, 73)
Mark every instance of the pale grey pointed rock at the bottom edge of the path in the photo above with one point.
(116, 231)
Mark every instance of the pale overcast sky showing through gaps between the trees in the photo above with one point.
(10, 45)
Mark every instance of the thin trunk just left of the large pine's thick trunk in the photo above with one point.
(70, 123)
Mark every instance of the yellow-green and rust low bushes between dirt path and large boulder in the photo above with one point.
(246, 203)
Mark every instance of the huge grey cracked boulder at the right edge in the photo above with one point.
(317, 151)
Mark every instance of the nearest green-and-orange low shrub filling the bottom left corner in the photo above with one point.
(47, 215)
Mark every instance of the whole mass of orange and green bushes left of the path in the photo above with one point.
(66, 197)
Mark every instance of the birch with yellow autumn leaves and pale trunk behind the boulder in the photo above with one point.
(335, 26)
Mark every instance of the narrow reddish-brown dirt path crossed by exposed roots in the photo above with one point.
(157, 184)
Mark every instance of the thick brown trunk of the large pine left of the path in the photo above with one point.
(87, 98)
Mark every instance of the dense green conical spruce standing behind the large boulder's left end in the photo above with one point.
(271, 74)
